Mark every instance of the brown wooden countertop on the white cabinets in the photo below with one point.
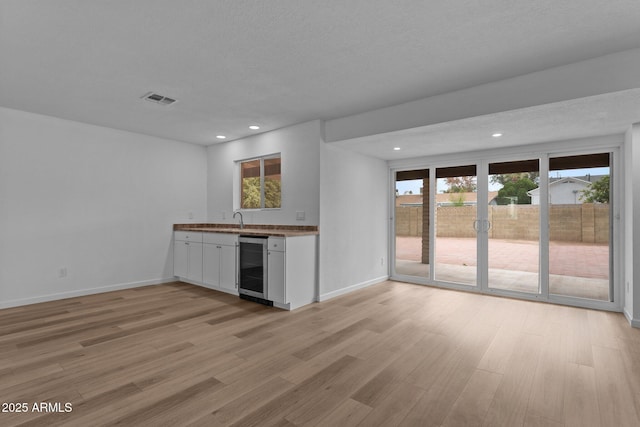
(251, 229)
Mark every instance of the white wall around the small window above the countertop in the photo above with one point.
(299, 148)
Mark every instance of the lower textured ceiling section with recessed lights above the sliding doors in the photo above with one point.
(599, 115)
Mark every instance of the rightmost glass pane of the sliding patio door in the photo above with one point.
(580, 226)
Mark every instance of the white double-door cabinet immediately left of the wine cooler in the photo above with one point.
(219, 266)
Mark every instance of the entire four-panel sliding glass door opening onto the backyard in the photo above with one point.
(538, 227)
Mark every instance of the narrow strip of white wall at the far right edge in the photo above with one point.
(632, 224)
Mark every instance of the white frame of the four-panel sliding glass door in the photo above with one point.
(481, 159)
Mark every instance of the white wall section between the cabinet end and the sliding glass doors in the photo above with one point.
(354, 221)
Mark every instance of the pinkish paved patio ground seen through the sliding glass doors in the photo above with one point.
(576, 269)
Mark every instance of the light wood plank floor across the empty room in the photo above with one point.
(391, 354)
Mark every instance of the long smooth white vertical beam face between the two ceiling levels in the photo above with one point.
(606, 74)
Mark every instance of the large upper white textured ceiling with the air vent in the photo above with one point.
(280, 62)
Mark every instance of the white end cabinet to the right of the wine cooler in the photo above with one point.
(291, 271)
